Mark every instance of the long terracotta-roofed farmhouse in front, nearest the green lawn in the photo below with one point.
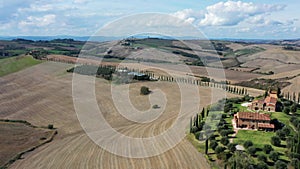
(253, 121)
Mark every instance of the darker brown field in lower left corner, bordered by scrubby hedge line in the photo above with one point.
(18, 137)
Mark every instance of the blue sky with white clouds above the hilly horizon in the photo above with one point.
(248, 19)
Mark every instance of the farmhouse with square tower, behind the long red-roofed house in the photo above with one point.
(268, 104)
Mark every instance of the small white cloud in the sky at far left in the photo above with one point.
(38, 21)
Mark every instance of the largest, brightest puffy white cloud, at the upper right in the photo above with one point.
(233, 12)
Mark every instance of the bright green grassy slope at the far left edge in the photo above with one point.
(14, 64)
